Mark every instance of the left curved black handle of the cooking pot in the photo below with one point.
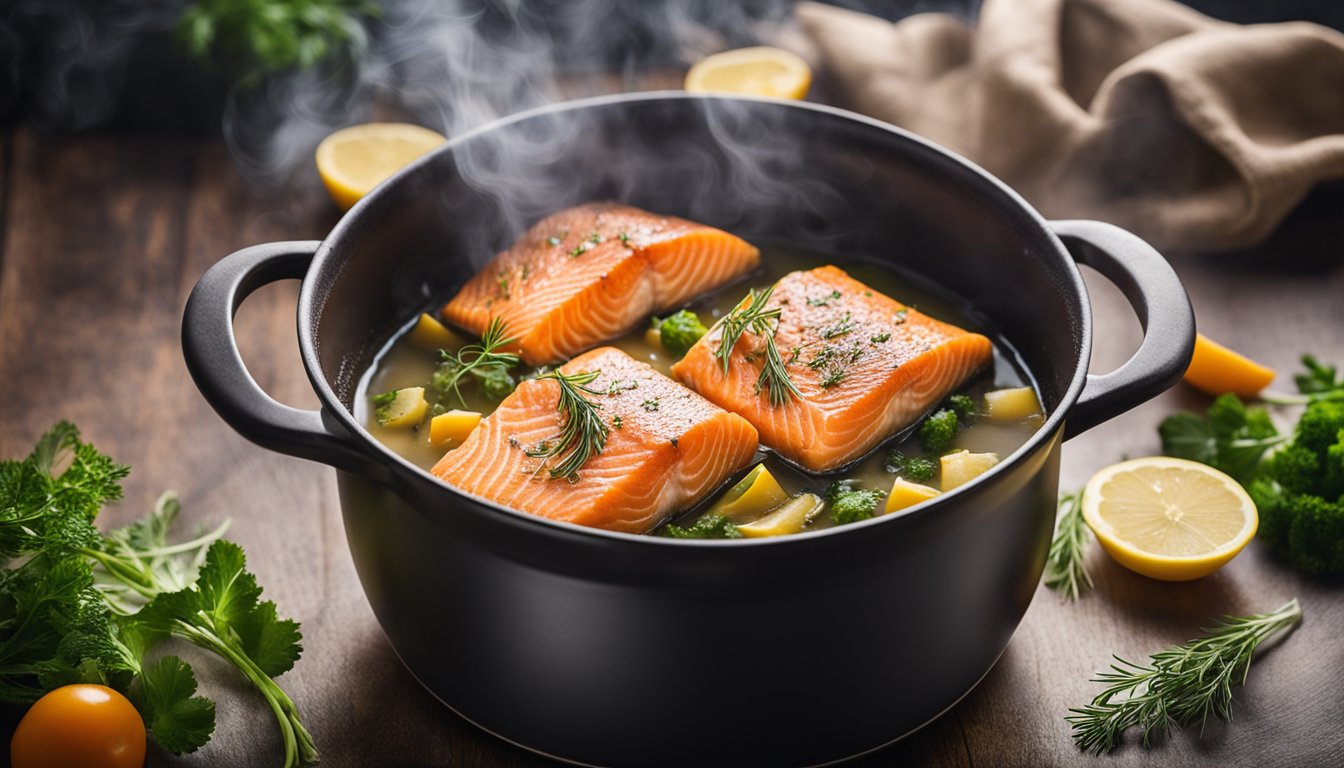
(212, 353)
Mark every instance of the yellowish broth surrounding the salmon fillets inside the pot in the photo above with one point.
(404, 365)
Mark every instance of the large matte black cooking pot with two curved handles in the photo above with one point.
(608, 649)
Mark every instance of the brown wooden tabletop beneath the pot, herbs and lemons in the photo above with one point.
(104, 237)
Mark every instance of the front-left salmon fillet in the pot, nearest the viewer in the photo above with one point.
(667, 449)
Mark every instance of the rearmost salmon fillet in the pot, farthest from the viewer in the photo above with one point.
(591, 274)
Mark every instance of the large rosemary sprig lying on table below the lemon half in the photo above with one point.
(1179, 687)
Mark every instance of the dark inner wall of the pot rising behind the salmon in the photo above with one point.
(811, 177)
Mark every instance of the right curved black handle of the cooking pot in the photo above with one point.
(1159, 299)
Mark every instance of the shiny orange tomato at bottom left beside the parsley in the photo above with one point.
(80, 727)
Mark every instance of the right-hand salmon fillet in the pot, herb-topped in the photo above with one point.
(866, 368)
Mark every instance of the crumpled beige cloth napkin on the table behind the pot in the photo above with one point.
(1195, 134)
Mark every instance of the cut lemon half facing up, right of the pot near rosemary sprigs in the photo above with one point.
(1169, 519)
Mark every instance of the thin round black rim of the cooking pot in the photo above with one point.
(325, 262)
